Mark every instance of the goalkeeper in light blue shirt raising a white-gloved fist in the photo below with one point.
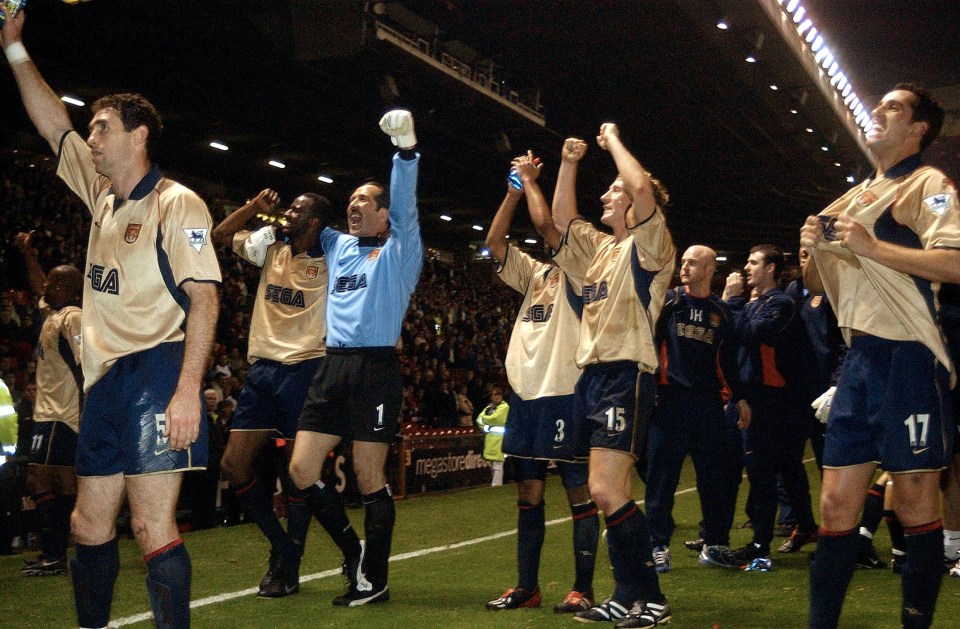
(355, 395)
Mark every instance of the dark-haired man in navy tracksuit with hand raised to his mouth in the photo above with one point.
(764, 327)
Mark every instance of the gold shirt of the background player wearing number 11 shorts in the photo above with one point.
(59, 377)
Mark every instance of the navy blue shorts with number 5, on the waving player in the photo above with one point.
(124, 418)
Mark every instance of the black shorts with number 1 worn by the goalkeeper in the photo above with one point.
(355, 395)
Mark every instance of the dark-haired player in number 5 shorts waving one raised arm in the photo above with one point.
(150, 308)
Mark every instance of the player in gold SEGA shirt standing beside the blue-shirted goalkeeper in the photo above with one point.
(286, 345)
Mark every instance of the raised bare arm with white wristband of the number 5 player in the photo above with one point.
(46, 110)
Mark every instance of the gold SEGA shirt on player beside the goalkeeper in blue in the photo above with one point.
(289, 319)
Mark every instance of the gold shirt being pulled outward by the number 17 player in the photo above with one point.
(909, 205)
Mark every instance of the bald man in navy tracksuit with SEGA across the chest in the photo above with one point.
(694, 329)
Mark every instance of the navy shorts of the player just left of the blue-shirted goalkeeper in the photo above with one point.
(272, 396)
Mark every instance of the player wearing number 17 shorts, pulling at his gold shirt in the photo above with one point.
(879, 251)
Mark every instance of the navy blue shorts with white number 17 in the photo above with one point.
(892, 407)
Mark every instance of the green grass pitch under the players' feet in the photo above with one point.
(449, 586)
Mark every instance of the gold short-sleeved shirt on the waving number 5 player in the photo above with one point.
(140, 252)
